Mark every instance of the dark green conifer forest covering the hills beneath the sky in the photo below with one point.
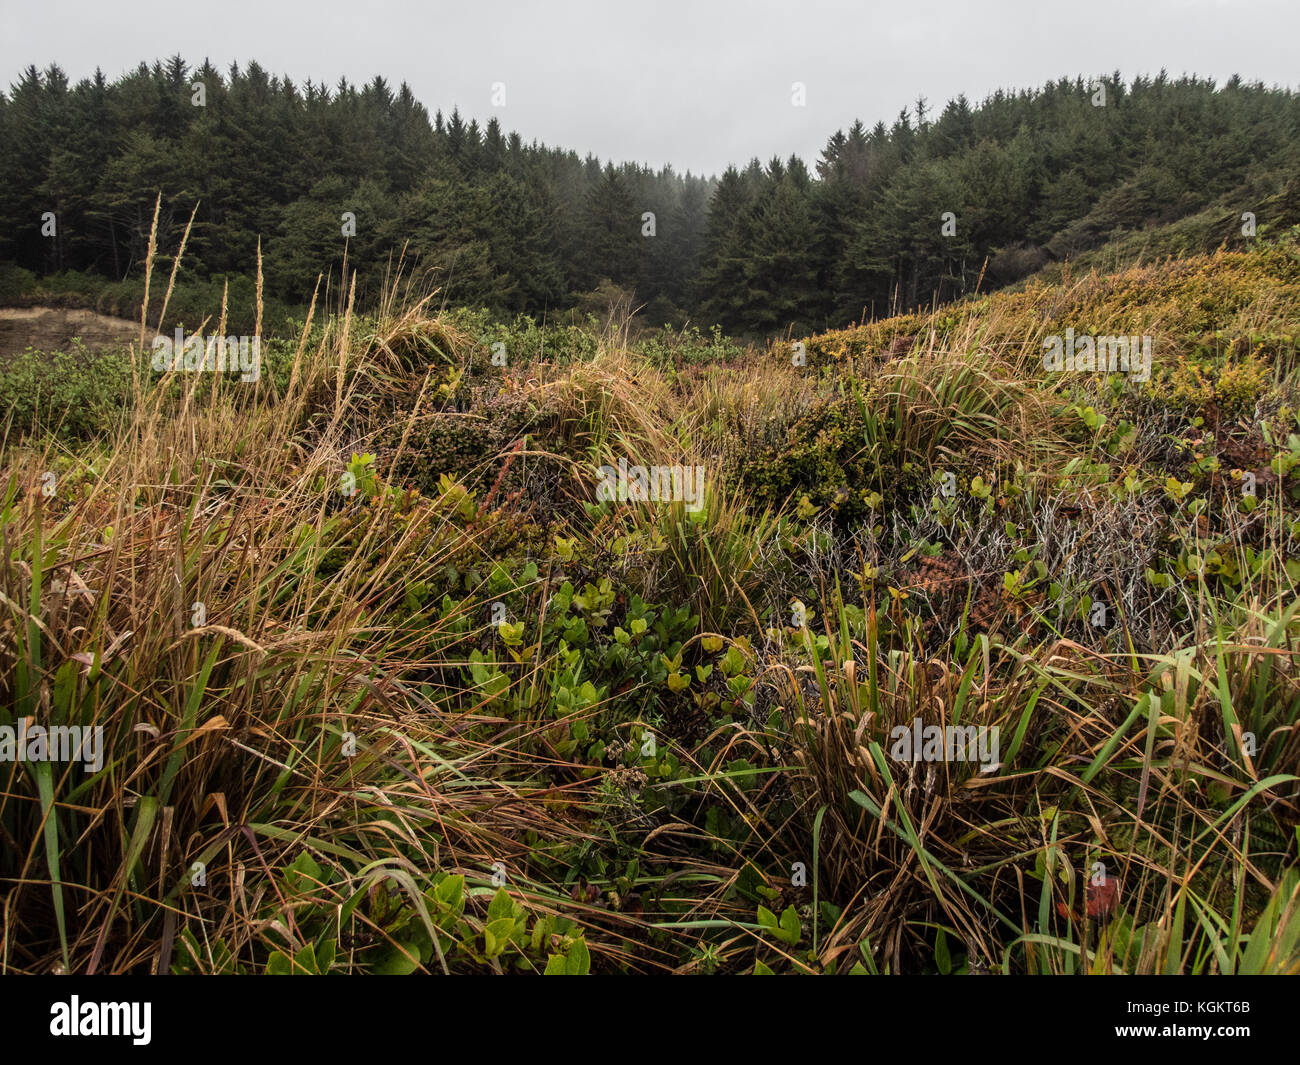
(889, 218)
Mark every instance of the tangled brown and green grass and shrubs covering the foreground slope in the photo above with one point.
(385, 689)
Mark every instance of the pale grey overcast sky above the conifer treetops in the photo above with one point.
(699, 84)
